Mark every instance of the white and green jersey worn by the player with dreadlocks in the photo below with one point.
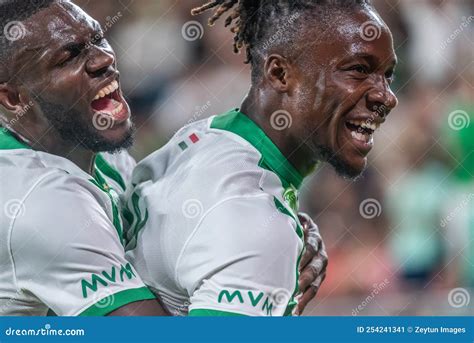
(215, 227)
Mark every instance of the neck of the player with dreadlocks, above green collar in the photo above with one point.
(297, 153)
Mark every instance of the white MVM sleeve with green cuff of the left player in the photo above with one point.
(67, 253)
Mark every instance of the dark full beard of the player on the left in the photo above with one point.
(72, 128)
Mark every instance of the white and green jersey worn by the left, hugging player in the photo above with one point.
(61, 235)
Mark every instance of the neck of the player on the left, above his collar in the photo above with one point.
(50, 142)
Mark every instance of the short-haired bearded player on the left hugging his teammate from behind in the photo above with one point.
(60, 228)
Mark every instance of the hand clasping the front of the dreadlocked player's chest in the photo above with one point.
(313, 264)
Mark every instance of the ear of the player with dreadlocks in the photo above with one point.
(278, 73)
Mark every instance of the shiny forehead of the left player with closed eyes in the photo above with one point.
(57, 22)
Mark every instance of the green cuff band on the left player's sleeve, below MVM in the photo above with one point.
(115, 301)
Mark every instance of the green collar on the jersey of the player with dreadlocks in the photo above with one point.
(272, 158)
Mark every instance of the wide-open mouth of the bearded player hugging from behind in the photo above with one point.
(109, 102)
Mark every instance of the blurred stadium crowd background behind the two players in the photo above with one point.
(400, 240)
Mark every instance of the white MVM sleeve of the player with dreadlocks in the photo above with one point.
(241, 260)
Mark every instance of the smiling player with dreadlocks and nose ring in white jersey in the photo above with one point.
(216, 230)
